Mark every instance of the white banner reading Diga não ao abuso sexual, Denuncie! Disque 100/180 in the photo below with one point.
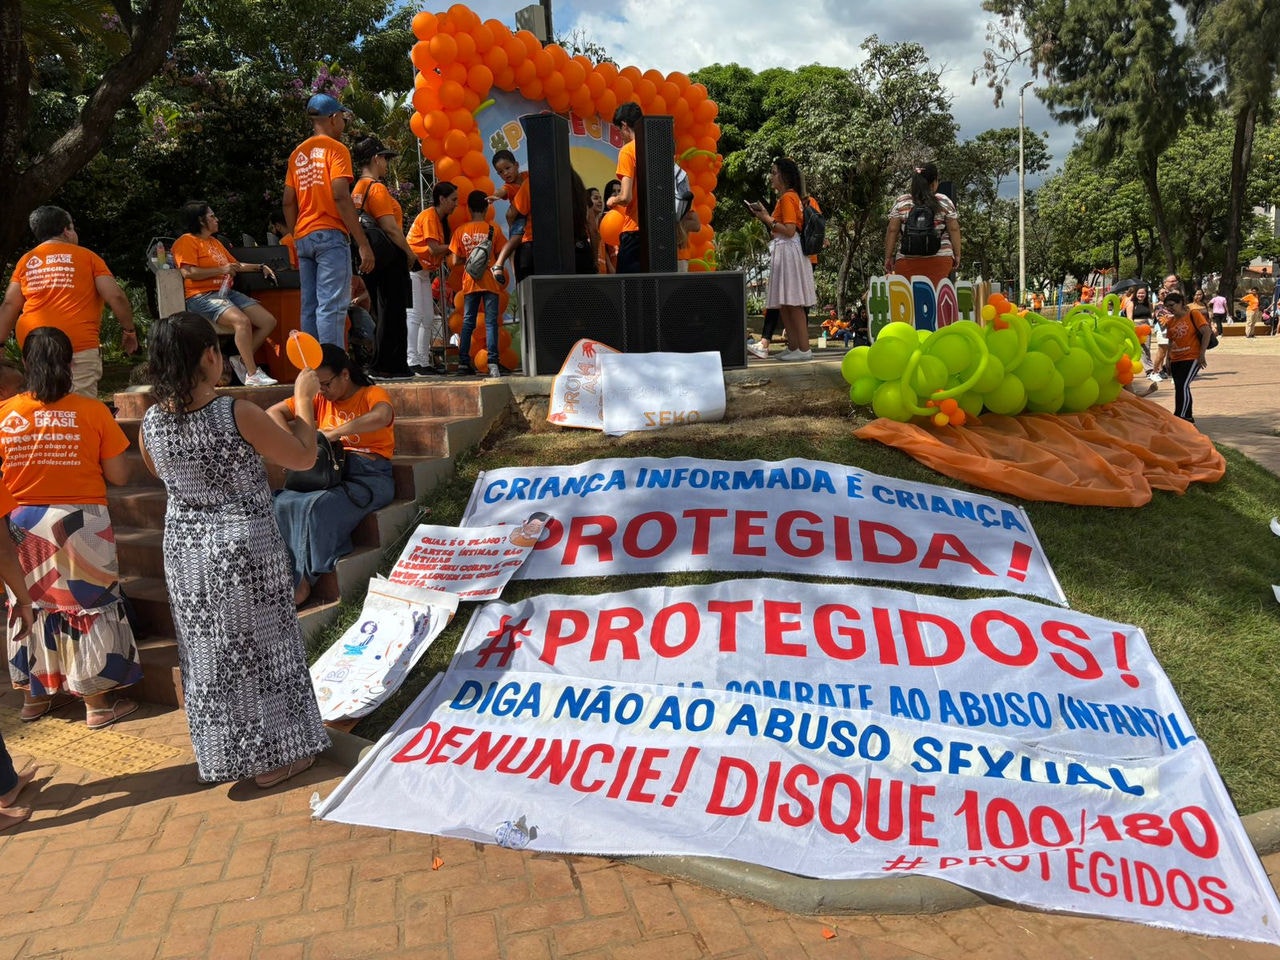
(566, 765)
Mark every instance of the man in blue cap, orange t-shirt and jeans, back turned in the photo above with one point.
(321, 216)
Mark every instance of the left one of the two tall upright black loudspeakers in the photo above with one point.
(551, 193)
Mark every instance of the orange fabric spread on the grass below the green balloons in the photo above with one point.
(1109, 456)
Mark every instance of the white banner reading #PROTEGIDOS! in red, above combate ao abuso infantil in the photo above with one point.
(1009, 668)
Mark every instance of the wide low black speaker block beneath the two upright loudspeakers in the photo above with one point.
(668, 313)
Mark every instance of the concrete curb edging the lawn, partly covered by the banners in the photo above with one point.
(808, 897)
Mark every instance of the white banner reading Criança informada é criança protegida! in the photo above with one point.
(796, 516)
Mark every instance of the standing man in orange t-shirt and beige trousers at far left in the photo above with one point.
(60, 284)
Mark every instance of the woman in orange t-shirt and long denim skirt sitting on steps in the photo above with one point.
(318, 524)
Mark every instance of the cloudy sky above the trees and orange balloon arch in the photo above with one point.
(680, 35)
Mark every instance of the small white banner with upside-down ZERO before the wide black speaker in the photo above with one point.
(656, 391)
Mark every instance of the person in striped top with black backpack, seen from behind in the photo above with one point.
(924, 237)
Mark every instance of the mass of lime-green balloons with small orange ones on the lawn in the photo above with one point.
(1013, 363)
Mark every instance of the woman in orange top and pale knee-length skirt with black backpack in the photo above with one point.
(792, 289)
